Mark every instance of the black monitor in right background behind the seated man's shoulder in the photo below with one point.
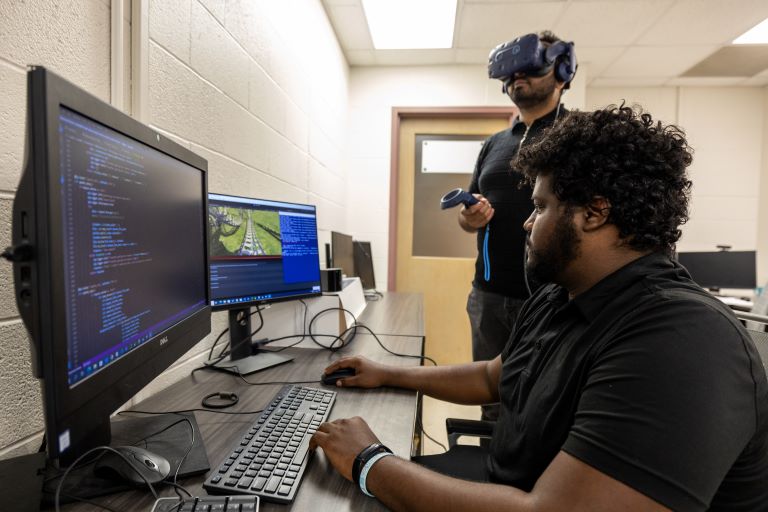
(721, 269)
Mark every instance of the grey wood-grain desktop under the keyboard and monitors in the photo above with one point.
(391, 413)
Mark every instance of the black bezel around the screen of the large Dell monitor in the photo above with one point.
(76, 417)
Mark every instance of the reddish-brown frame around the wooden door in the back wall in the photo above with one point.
(398, 115)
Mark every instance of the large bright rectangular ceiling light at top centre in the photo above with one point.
(402, 24)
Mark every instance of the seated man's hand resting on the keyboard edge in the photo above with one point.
(341, 441)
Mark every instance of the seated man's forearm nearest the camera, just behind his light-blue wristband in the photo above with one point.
(403, 485)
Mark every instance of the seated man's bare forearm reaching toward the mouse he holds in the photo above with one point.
(471, 384)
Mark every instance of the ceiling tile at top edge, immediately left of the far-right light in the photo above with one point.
(701, 22)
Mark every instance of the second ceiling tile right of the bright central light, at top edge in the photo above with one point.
(608, 22)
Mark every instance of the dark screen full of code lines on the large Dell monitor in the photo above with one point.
(124, 210)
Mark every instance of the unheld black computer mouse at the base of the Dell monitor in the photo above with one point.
(152, 466)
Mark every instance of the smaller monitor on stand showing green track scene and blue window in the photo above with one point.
(261, 251)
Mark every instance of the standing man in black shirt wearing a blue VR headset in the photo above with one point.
(534, 70)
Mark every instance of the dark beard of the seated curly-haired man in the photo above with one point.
(546, 264)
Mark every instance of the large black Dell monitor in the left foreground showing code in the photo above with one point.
(110, 263)
